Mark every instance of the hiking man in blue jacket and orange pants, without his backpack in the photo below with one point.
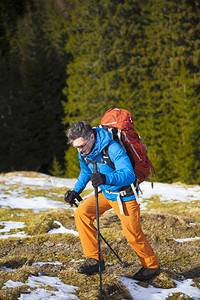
(90, 142)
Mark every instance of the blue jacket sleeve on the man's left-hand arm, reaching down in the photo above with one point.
(83, 178)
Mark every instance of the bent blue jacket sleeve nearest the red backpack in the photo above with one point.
(123, 173)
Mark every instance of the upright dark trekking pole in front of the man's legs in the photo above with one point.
(98, 233)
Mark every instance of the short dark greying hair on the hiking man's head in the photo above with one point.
(79, 129)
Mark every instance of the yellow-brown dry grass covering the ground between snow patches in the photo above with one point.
(161, 223)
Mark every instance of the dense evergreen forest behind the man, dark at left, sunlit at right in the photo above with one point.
(68, 60)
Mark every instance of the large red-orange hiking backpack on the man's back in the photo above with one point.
(120, 123)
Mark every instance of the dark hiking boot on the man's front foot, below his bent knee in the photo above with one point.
(91, 266)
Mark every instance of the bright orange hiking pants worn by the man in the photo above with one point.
(85, 215)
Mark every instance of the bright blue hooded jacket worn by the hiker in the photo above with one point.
(123, 174)
